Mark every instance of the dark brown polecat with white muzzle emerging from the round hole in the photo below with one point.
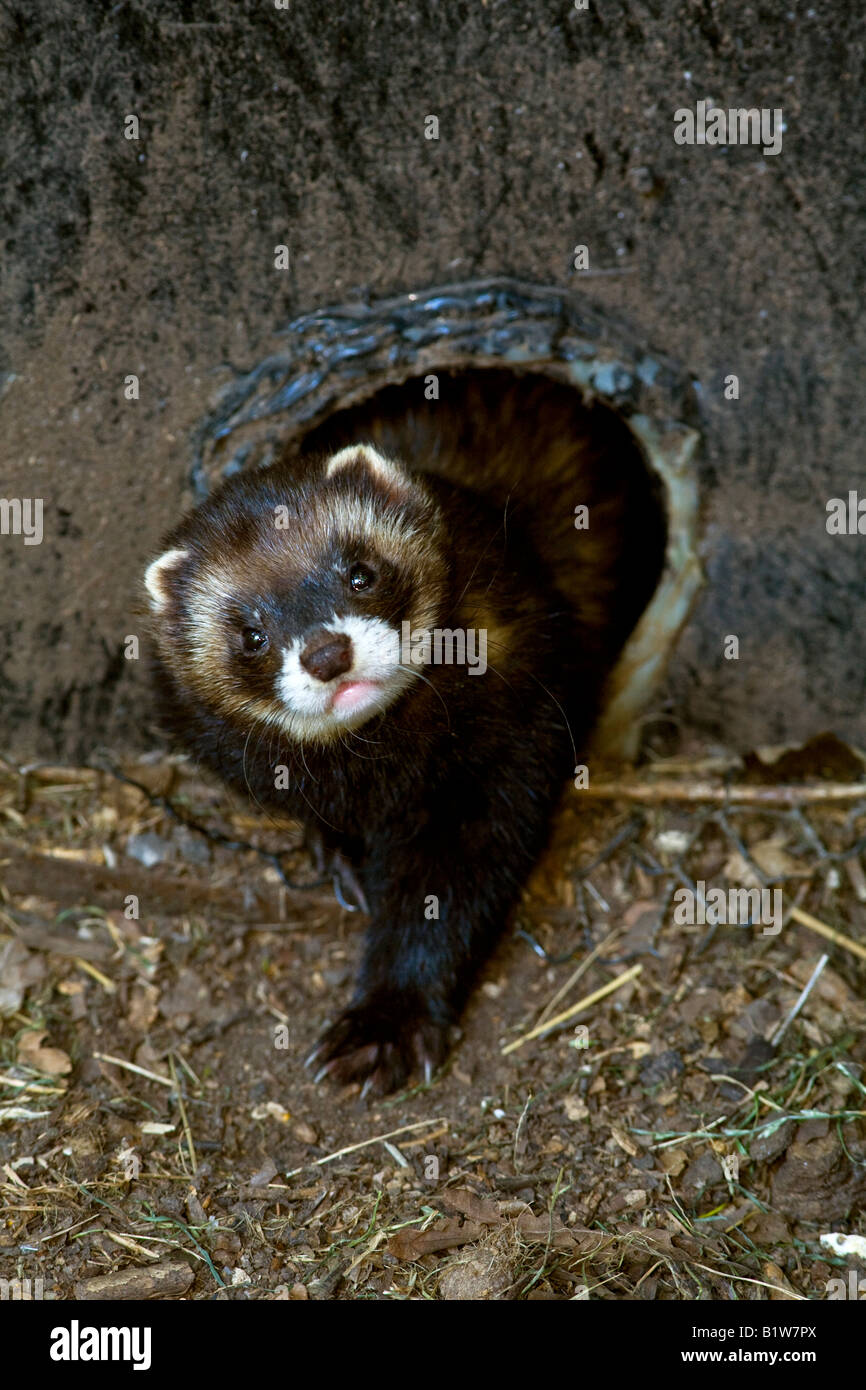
(383, 655)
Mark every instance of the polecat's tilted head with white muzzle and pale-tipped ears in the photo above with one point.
(281, 598)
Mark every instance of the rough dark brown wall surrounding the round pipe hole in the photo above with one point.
(307, 127)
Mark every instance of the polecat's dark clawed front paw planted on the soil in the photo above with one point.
(382, 1046)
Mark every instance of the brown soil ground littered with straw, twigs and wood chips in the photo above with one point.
(672, 1142)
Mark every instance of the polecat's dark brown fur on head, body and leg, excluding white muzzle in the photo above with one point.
(444, 797)
